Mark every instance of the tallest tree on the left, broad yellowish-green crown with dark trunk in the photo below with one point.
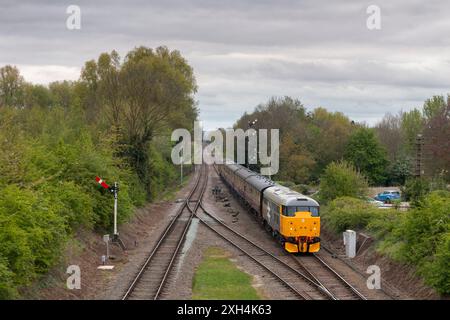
(141, 98)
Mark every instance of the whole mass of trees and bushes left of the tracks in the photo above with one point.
(114, 122)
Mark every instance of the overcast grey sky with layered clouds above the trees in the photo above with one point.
(243, 52)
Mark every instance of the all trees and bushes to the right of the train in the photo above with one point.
(343, 158)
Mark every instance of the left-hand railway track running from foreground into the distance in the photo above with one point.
(153, 275)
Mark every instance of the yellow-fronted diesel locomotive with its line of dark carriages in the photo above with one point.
(291, 217)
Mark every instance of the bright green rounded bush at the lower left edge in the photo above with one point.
(31, 234)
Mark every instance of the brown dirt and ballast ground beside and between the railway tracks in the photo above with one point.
(140, 235)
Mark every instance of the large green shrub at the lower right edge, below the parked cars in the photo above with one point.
(421, 237)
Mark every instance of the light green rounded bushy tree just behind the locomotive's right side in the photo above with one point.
(339, 180)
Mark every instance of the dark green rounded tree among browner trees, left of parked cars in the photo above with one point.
(365, 153)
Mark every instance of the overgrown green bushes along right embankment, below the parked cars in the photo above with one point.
(419, 237)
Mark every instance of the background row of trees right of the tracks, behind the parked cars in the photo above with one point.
(385, 153)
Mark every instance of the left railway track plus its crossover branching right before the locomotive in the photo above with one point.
(153, 275)
